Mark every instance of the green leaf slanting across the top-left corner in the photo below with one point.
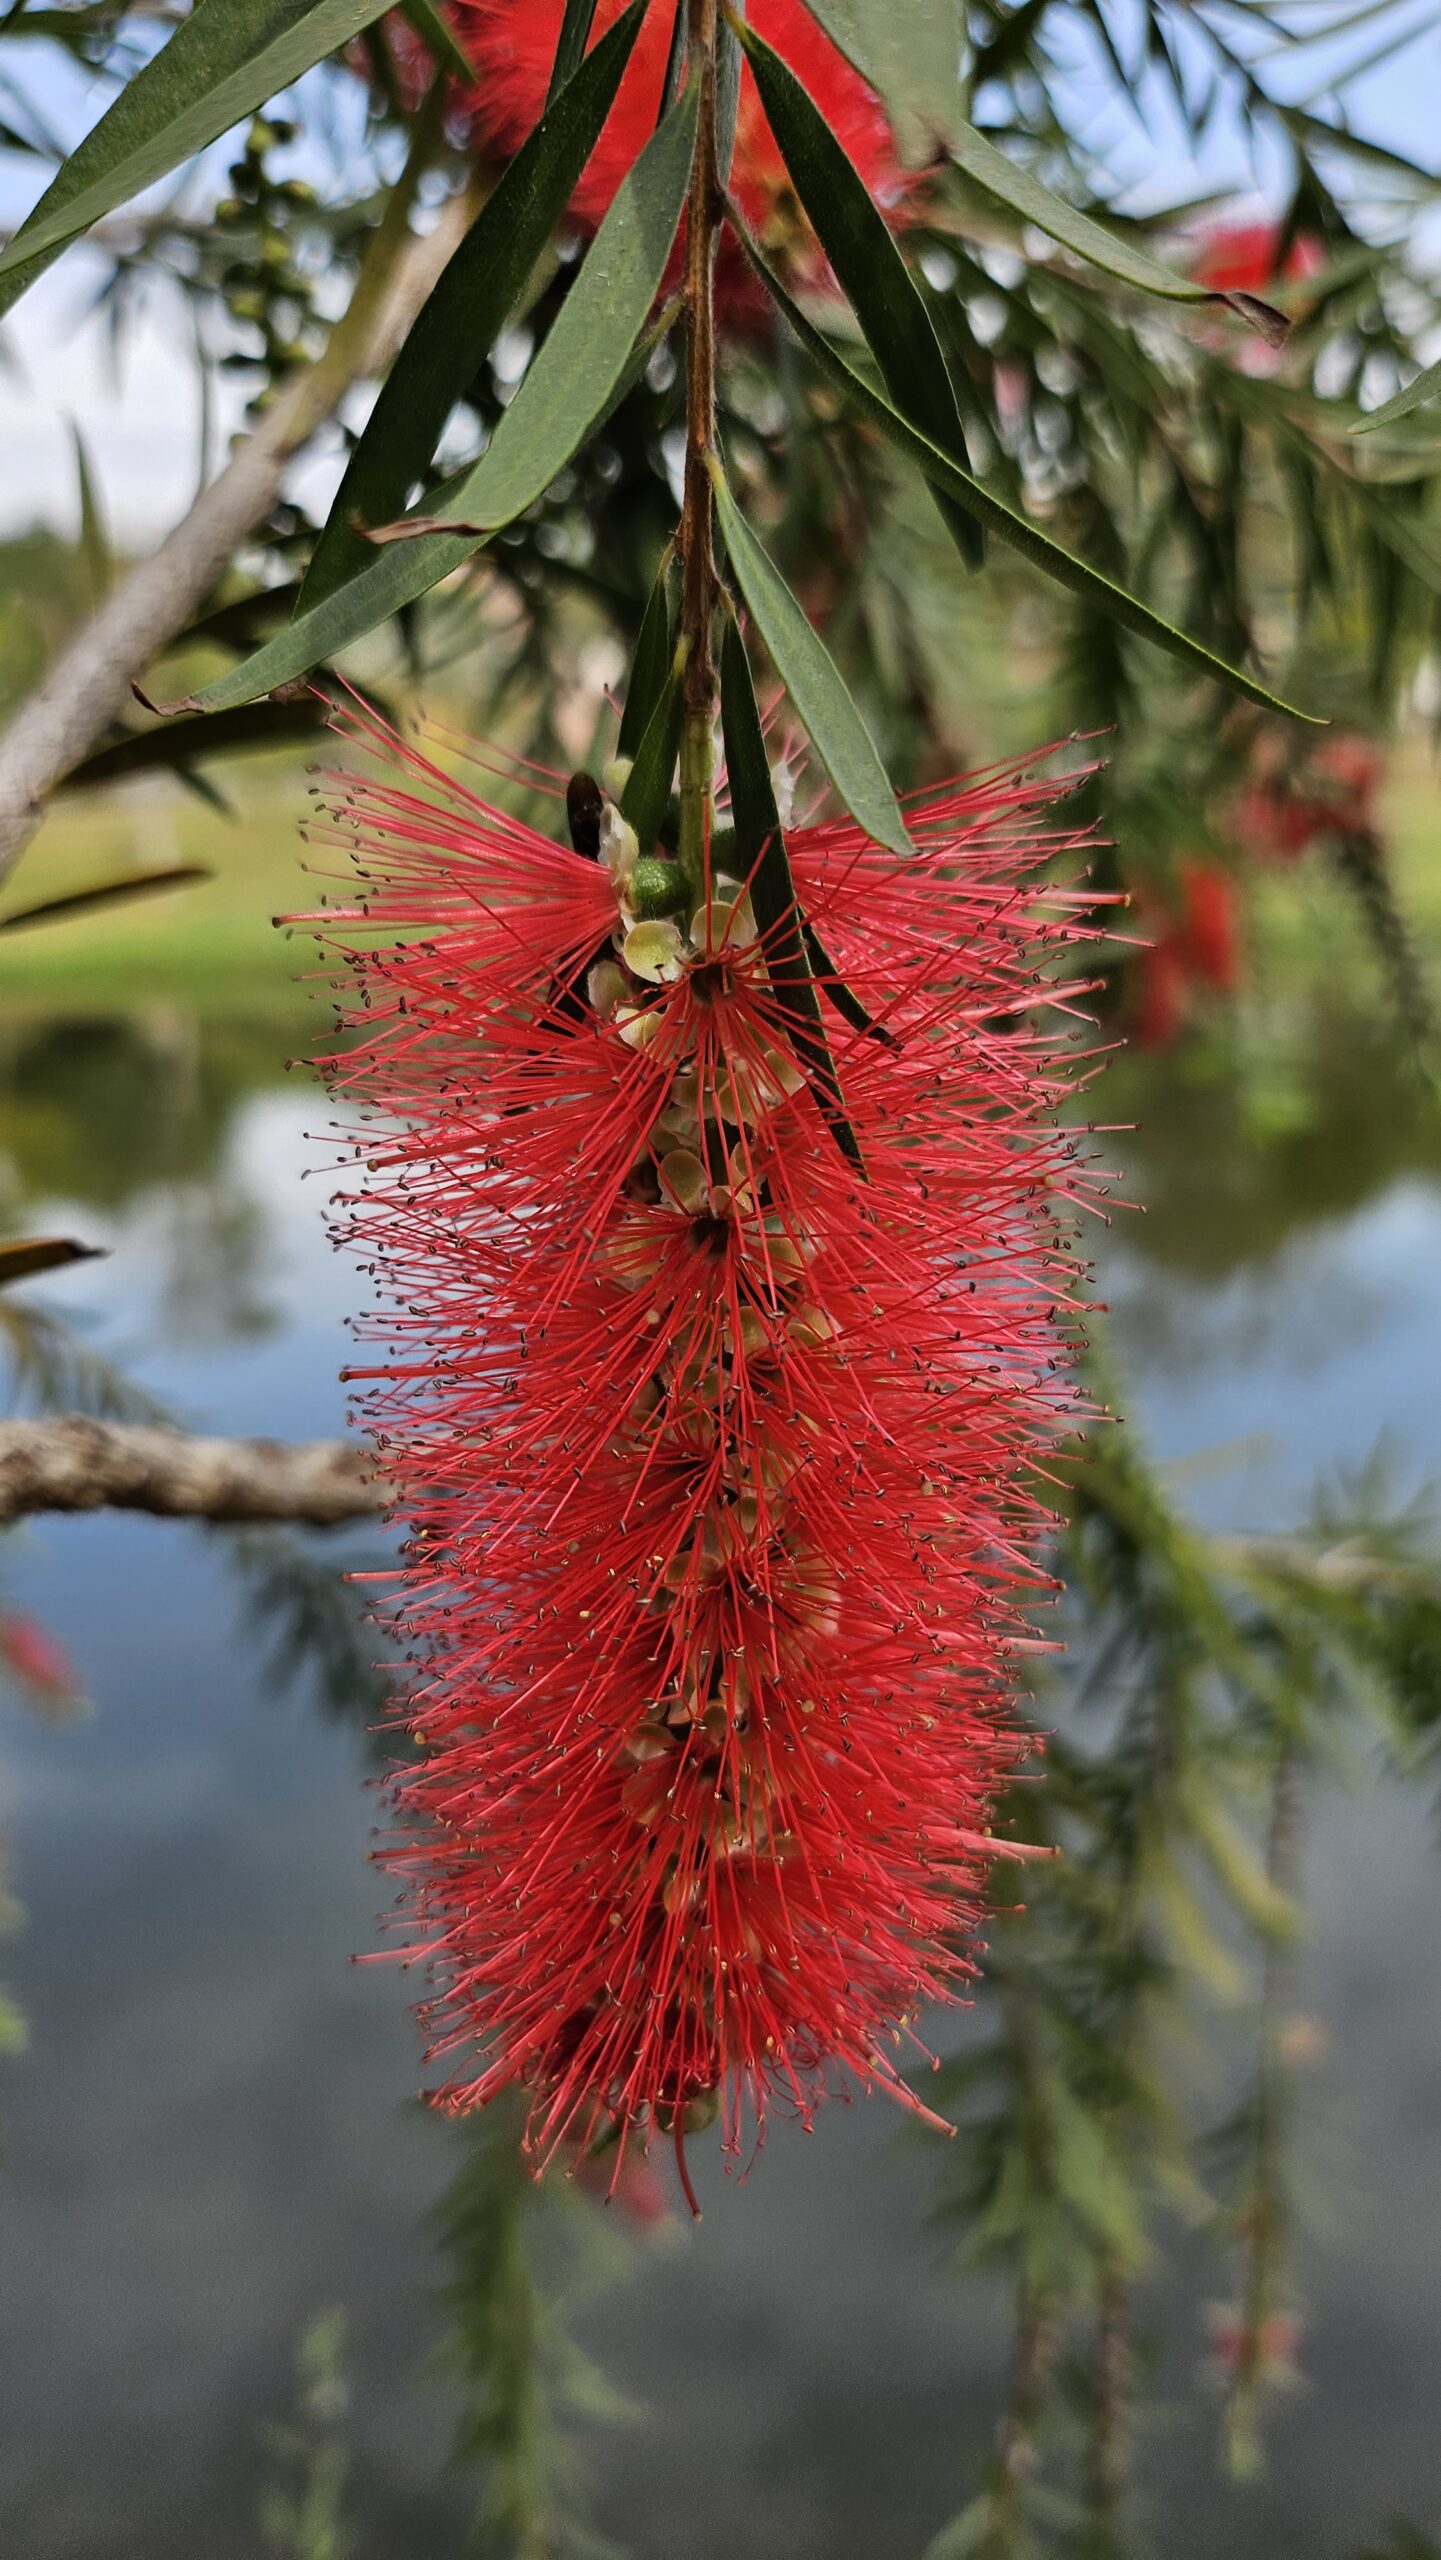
(219, 65)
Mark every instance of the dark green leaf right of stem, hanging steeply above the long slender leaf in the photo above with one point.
(872, 273)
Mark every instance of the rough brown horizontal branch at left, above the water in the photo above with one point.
(76, 1463)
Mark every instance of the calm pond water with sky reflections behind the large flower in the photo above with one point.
(214, 2134)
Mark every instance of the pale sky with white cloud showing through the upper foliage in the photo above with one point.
(142, 421)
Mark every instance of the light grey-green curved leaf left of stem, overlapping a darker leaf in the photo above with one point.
(585, 365)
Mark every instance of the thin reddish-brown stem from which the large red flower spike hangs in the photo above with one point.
(697, 511)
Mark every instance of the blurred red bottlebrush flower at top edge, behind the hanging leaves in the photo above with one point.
(513, 47)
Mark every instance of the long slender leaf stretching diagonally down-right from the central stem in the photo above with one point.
(1005, 524)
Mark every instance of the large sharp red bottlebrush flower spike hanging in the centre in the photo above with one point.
(715, 1455)
